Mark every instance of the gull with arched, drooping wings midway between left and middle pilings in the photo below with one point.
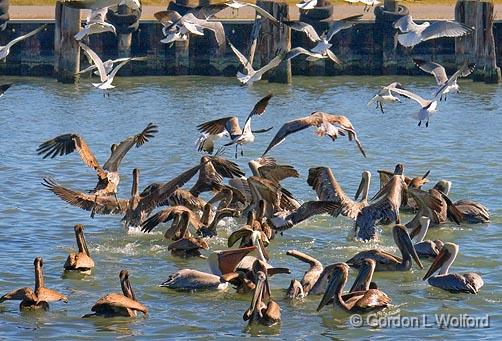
(177, 27)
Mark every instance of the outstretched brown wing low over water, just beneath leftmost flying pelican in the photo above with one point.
(89, 202)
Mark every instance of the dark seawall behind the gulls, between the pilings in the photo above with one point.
(359, 48)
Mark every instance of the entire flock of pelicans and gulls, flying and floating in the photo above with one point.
(260, 204)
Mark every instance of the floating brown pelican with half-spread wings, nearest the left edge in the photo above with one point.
(38, 298)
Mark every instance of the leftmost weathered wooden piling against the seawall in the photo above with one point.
(67, 48)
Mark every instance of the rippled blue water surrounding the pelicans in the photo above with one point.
(462, 144)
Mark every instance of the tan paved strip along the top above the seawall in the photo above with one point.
(418, 11)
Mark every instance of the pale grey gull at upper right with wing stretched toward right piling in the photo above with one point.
(413, 34)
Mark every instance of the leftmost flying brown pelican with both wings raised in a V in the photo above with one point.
(108, 175)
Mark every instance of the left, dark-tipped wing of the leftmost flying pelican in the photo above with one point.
(66, 144)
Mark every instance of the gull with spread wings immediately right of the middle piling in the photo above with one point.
(322, 49)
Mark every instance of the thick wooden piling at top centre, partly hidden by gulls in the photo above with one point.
(274, 39)
